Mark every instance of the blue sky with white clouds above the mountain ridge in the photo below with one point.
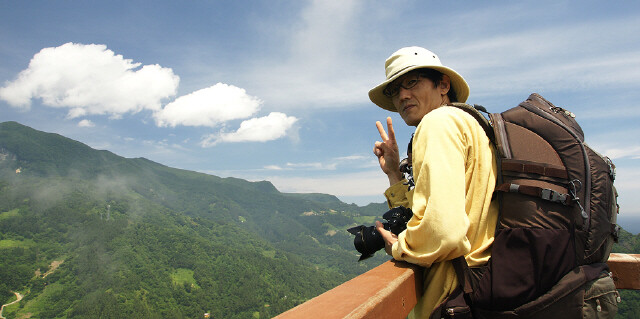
(277, 90)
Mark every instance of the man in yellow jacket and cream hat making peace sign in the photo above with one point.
(454, 171)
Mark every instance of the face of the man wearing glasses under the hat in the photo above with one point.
(421, 98)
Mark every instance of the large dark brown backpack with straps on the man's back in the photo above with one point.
(558, 210)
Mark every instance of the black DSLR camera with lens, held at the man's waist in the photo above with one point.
(368, 240)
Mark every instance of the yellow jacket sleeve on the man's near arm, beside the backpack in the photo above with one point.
(437, 230)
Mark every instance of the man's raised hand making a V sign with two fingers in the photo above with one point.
(387, 152)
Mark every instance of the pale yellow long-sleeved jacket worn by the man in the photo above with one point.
(455, 174)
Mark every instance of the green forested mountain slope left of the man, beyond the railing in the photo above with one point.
(87, 234)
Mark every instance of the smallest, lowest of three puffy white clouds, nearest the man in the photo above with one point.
(268, 128)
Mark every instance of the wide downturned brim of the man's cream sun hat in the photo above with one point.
(457, 83)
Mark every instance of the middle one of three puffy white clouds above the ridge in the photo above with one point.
(209, 107)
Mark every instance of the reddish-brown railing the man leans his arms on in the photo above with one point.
(392, 289)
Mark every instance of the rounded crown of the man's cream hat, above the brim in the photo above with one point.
(409, 57)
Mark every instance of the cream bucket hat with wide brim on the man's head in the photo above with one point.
(411, 58)
